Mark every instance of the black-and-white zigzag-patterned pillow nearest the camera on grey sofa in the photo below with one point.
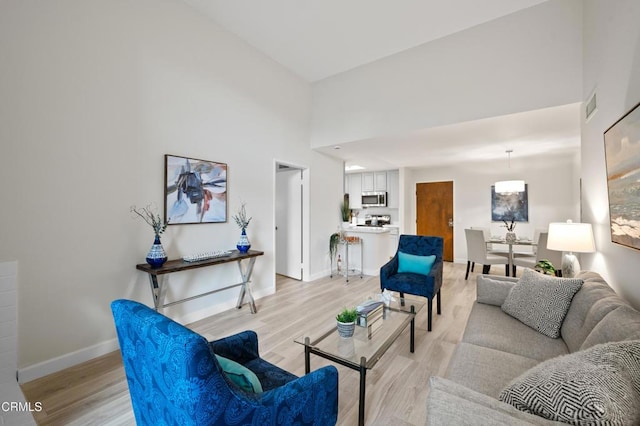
(600, 385)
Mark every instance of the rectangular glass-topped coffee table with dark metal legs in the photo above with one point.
(360, 352)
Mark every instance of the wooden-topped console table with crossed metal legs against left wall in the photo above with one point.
(159, 285)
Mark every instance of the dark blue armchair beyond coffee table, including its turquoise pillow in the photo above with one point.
(416, 269)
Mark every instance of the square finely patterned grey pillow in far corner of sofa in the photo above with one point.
(541, 301)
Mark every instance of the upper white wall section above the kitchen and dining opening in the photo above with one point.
(521, 62)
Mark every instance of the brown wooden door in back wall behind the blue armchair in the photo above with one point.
(434, 213)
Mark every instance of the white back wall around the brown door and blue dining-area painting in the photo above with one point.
(553, 194)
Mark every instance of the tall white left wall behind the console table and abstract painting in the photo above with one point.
(92, 95)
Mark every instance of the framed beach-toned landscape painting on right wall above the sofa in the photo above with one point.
(622, 158)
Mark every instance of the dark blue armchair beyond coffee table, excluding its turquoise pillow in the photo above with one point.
(416, 283)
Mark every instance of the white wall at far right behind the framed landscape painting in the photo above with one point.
(612, 68)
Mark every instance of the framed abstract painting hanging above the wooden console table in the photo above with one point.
(195, 190)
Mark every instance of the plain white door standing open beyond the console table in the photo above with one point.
(289, 222)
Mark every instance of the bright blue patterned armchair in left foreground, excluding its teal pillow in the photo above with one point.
(175, 379)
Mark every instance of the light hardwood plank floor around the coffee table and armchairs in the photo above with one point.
(96, 393)
